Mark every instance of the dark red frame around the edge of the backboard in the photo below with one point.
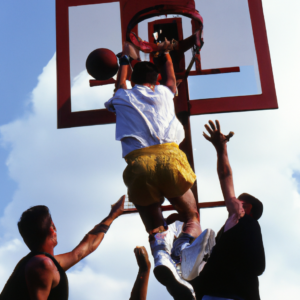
(67, 118)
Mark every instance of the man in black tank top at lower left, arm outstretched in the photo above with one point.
(41, 275)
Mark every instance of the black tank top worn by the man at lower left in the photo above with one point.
(16, 288)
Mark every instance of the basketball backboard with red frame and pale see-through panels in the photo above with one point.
(235, 72)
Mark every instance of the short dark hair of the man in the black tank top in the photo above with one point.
(34, 225)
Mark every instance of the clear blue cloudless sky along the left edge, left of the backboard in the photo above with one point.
(28, 41)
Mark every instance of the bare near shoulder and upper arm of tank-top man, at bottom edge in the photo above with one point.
(39, 275)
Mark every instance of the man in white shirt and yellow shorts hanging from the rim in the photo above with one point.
(150, 134)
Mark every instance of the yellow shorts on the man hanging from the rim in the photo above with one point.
(156, 172)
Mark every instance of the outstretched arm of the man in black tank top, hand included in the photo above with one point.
(92, 239)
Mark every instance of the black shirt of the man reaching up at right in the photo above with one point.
(235, 262)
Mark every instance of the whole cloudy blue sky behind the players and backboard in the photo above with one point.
(77, 172)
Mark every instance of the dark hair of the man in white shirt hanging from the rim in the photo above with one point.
(144, 72)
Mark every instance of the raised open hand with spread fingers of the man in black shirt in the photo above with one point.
(216, 137)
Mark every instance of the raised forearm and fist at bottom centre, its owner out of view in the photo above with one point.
(139, 290)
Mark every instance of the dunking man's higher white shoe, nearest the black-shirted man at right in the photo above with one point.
(194, 256)
